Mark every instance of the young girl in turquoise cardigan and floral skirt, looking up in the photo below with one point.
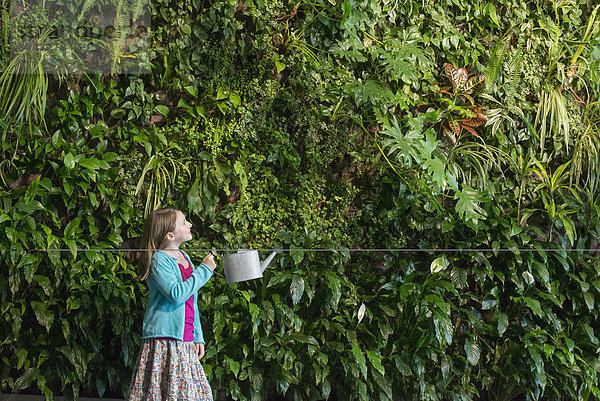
(169, 362)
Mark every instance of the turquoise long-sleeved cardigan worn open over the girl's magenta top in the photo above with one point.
(165, 313)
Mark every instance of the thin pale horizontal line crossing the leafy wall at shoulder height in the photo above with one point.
(326, 250)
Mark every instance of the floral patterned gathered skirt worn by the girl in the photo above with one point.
(169, 370)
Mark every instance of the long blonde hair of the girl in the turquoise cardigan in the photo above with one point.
(158, 224)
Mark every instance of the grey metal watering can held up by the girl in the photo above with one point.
(245, 265)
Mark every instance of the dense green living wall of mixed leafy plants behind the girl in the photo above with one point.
(461, 139)
